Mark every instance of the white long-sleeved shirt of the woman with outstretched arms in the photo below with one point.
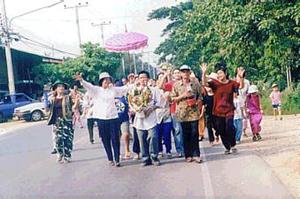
(104, 100)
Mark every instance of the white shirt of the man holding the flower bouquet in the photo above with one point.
(142, 123)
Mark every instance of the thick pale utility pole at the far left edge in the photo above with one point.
(10, 71)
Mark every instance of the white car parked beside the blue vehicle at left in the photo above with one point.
(31, 112)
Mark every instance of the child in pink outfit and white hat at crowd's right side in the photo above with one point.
(255, 111)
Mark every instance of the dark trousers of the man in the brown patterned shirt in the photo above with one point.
(190, 139)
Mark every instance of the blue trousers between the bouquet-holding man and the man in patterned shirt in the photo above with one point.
(164, 136)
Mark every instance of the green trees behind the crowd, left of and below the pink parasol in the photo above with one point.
(93, 61)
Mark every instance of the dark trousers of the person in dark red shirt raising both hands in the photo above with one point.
(225, 127)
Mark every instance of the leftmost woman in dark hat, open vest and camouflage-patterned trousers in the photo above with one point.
(61, 119)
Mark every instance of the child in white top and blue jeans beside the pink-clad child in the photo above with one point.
(238, 118)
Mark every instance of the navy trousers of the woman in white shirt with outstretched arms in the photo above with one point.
(109, 131)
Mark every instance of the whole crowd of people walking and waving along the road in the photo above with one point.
(150, 112)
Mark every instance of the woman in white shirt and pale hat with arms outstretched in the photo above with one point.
(106, 114)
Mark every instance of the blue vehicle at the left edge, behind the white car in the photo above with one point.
(10, 102)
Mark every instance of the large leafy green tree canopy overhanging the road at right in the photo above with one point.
(262, 36)
